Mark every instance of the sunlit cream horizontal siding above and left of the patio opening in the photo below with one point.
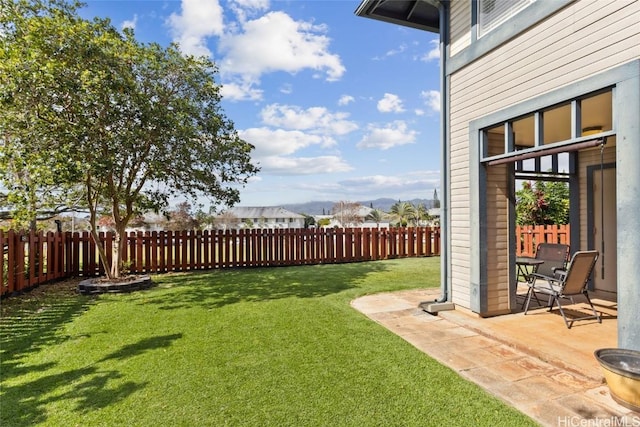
(585, 38)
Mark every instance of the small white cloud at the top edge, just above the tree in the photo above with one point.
(198, 20)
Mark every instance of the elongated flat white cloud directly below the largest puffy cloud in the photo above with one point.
(313, 119)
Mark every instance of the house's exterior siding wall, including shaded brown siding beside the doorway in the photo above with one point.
(577, 41)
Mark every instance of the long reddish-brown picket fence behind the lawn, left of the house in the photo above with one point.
(35, 258)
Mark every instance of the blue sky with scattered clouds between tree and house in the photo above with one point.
(338, 107)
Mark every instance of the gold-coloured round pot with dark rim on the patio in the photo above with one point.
(622, 371)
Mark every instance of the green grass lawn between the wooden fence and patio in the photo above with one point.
(257, 347)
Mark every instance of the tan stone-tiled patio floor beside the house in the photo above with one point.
(532, 362)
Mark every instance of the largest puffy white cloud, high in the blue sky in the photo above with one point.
(275, 42)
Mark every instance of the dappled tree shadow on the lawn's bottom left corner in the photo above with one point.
(84, 389)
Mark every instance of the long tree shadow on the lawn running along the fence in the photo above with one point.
(213, 289)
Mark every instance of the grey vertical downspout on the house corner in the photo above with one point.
(443, 302)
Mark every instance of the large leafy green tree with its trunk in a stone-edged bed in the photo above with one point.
(136, 124)
